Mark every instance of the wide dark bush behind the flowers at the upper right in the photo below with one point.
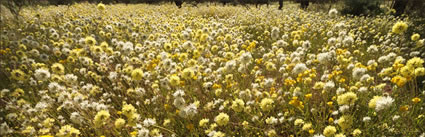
(362, 7)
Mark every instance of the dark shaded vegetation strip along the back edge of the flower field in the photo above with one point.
(353, 7)
